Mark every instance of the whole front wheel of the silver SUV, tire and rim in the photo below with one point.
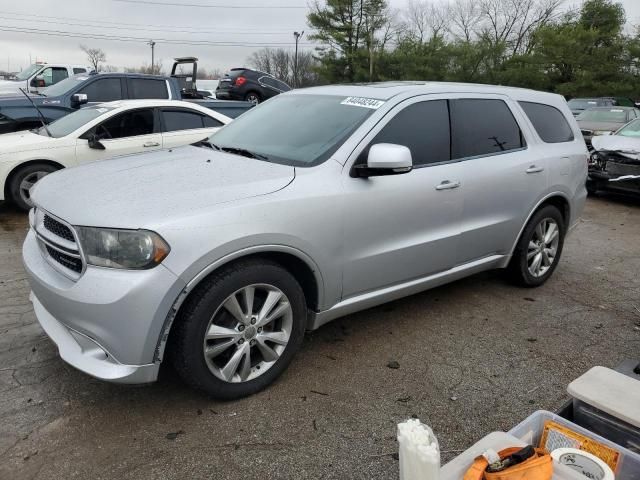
(239, 330)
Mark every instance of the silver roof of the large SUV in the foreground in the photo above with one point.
(388, 90)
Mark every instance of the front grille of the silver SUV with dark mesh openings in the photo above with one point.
(58, 244)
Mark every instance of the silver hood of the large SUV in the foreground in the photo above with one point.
(140, 191)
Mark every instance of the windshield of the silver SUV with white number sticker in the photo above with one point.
(296, 130)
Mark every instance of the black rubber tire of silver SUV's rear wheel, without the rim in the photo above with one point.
(518, 267)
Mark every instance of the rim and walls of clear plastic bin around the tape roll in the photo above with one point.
(530, 431)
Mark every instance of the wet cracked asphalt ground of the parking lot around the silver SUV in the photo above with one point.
(474, 356)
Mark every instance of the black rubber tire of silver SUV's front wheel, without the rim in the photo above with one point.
(187, 337)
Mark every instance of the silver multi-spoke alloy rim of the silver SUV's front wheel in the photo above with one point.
(248, 333)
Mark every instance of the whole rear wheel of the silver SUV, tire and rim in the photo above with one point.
(538, 251)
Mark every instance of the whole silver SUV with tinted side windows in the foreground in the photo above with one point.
(316, 204)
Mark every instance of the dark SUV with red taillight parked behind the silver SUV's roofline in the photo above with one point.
(249, 85)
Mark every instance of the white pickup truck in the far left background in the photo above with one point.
(38, 76)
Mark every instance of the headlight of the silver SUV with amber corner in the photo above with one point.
(130, 249)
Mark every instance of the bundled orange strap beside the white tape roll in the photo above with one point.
(538, 467)
